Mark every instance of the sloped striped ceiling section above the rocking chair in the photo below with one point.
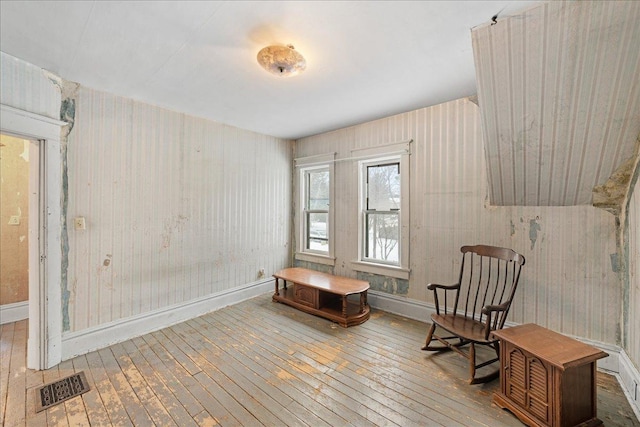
(559, 94)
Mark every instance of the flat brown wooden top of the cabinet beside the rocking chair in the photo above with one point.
(555, 348)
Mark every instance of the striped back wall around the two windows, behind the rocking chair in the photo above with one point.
(568, 281)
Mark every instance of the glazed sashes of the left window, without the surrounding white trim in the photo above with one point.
(316, 210)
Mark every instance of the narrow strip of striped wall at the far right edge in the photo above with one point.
(633, 320)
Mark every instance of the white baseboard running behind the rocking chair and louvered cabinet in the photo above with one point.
(617, 364)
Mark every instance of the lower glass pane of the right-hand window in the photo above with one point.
(383, 235)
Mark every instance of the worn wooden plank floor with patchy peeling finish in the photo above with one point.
(263, 363)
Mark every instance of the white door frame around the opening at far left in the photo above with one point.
(45, 232)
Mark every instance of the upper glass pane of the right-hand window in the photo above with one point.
(383, 187)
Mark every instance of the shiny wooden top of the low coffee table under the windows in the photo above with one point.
(315, 279)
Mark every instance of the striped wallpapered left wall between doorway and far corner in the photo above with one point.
(176, 208)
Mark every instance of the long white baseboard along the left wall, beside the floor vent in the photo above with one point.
(87, 340)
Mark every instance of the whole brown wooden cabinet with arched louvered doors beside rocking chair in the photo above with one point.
(547, 379)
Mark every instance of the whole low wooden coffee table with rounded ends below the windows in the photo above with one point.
(323, 295)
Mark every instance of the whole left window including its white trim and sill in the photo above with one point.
(314, 213)
